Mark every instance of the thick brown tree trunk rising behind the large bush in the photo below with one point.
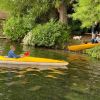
(62, 13)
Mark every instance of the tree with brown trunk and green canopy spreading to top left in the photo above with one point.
(36, 7)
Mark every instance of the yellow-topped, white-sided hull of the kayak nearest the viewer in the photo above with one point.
(40, 63)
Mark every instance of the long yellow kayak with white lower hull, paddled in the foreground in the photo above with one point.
(31, 61)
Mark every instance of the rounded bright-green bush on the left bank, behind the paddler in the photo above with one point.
(15, 28)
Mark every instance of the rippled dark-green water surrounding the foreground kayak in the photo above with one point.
(81, 81)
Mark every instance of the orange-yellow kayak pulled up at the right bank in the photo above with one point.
(82, 46)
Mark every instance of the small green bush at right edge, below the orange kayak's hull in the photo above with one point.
(94, 52)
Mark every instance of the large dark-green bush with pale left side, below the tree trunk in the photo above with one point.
(51, 34)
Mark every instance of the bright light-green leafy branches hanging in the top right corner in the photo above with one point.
(87, 11)
